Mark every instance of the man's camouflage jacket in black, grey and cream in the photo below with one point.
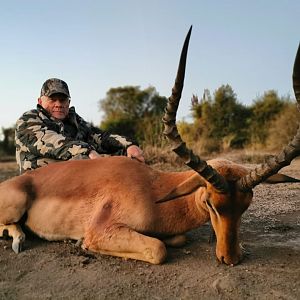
(41, 139)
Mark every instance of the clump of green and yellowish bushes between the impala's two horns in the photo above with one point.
(220, 122)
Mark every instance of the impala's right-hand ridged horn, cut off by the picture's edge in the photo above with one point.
(289, 152)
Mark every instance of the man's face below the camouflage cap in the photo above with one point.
(57, 105)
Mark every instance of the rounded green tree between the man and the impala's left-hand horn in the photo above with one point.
(133, 112)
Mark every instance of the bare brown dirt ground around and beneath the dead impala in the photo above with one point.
(270, 233)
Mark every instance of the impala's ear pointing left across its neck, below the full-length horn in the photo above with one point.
(185, 188)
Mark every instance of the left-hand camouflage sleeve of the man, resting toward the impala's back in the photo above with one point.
(33, 135)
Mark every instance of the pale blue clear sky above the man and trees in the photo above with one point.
(97, 45)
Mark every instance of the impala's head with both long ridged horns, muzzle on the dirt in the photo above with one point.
(227, 195)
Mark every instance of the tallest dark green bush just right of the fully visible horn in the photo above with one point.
(221, 119)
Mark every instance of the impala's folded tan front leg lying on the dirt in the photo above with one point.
(120, 240)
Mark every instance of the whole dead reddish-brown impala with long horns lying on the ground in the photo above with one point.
(118, 206)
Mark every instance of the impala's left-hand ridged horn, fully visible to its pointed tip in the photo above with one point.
(170, 129)
